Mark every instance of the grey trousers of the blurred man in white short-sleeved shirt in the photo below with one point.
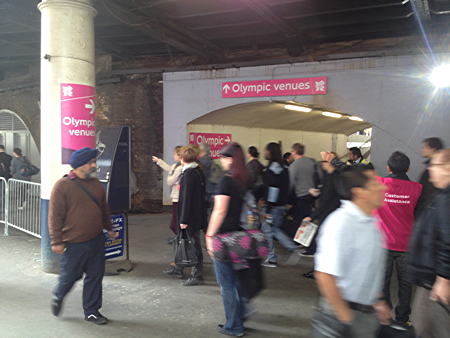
(364, 325)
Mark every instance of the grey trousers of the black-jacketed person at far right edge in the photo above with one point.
(429, 318)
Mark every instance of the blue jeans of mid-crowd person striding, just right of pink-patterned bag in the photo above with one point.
(273, 230)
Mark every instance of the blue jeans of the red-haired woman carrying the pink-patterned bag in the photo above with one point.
(232, 300)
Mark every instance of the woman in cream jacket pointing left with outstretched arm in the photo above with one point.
(173, 181)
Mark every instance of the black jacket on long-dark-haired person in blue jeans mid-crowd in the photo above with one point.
(276, 183)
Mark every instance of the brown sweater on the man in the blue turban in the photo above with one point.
(73, 216)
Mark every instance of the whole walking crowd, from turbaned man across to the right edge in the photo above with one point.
(369, 226)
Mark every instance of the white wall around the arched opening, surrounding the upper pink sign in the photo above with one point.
(392, 93)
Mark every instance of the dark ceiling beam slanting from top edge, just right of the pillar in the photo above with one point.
(163, 30)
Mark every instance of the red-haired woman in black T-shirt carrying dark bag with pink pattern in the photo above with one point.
(225, 234)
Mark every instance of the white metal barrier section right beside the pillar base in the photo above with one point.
(23, 207)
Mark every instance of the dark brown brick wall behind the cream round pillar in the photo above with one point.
(137, 102)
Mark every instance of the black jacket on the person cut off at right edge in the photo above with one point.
(429, 255)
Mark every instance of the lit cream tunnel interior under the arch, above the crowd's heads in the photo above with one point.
(287, 122)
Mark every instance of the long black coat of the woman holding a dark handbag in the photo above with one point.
(192, 201)
